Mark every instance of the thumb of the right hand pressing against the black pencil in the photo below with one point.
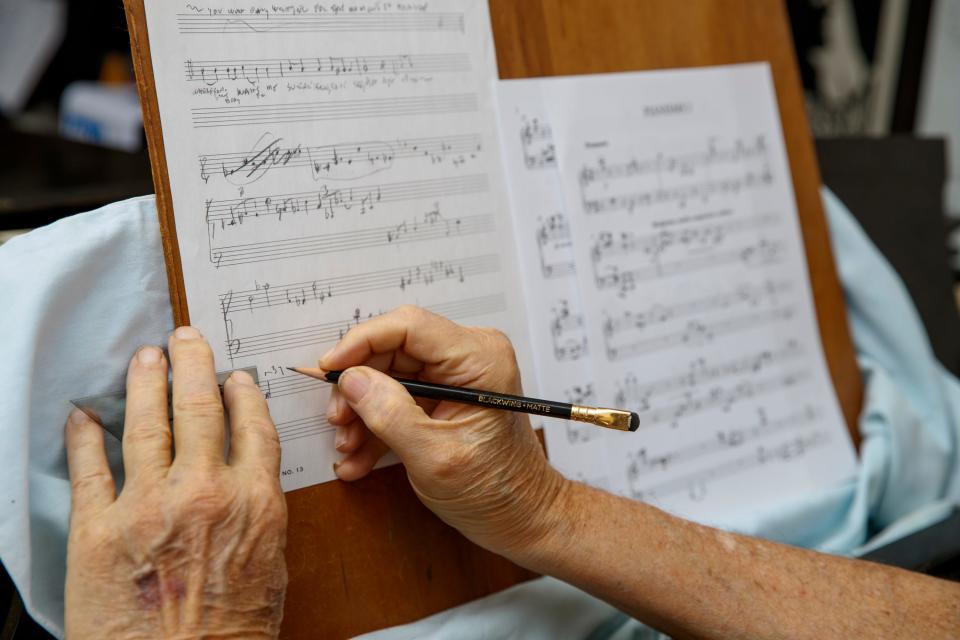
(387, 409)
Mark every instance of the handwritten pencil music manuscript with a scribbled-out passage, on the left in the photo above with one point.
(329, 161)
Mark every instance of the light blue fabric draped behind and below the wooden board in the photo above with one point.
(81, 295)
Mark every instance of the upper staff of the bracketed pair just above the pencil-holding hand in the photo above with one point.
(297, 294)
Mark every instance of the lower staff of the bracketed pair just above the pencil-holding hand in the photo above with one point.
(329, 332)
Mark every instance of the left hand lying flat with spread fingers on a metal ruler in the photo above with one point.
(193, 545)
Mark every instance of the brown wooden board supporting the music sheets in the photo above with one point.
(367, 555)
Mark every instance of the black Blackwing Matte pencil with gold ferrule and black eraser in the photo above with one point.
(608, 418)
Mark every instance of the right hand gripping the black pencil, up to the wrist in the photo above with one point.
(481, 470)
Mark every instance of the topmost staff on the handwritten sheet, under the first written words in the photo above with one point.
(261, 20)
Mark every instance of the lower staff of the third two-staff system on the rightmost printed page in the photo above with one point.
(697, 333)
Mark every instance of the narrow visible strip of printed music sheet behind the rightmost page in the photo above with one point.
(558, 333)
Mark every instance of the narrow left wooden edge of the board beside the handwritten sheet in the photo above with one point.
(150, 107)
